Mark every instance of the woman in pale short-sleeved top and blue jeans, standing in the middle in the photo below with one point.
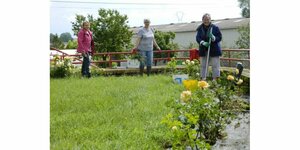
(144, 45)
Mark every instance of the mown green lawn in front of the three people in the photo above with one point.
(110, 112)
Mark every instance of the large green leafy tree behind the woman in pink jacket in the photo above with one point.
(110, 30)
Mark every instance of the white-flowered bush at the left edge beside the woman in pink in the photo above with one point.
(61, 68)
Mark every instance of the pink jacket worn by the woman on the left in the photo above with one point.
(85, 41)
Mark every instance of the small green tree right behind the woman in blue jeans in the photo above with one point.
(165, 42)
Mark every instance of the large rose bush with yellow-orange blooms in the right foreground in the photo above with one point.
(199, 117)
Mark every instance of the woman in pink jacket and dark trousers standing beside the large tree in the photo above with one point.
(85, 47)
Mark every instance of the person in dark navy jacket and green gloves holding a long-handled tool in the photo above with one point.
(208, 32)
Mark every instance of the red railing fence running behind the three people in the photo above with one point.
(229, 59)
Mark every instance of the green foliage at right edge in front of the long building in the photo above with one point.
(244, 39)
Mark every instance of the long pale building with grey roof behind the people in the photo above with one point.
(186, 32)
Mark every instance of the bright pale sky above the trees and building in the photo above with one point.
(62, 12)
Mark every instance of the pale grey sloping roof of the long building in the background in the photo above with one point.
(228, 23)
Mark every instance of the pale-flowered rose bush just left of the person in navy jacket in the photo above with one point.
(192, 68)
